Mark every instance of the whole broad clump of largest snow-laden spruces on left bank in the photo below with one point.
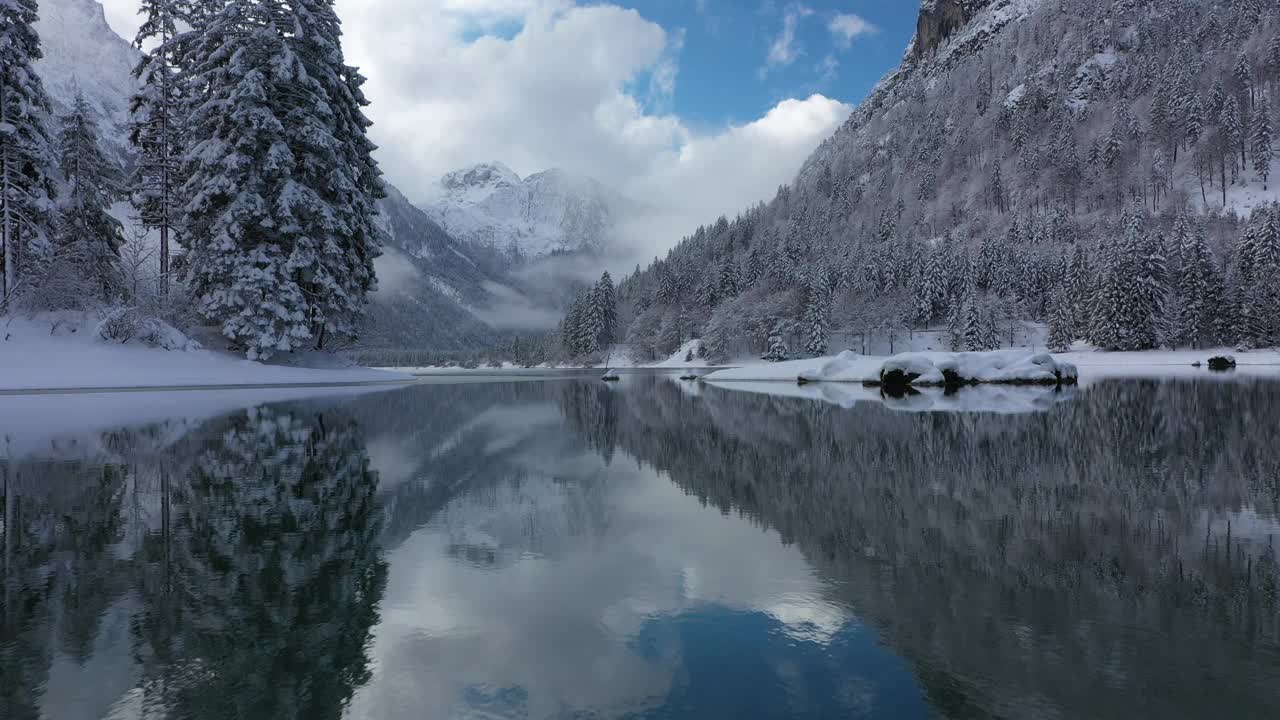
(282, 185)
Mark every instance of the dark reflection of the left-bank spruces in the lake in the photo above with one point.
(240, 564)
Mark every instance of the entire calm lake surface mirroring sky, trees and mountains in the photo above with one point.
(650, 550)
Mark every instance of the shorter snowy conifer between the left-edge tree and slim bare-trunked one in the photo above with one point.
(88, 234)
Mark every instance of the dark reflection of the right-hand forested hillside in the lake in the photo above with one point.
(1112, 558)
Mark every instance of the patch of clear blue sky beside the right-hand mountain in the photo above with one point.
(725, 75)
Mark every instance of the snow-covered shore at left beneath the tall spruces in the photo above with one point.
(60, 353)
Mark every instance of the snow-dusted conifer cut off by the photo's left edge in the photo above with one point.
(26, 152)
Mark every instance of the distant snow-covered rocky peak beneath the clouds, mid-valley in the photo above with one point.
(550, 212)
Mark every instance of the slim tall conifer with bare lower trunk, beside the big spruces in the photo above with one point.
(154, 125)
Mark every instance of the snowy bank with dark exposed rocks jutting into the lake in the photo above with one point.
(916, 370)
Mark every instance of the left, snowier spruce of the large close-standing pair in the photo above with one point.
(239, 167)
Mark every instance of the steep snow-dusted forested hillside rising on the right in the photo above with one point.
(1100, 166)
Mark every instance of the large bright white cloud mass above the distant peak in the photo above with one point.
(552, 84)
